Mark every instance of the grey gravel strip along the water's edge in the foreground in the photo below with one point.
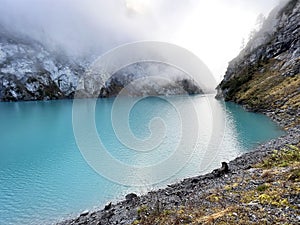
(190, 191)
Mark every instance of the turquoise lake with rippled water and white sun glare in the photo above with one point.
(44, 177)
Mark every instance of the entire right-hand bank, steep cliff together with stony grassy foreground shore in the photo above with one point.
(261, 187)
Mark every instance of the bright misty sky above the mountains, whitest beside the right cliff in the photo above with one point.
(213, 30)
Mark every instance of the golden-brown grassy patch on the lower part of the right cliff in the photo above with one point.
(263, 88)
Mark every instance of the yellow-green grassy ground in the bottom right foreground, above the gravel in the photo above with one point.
(268, 193)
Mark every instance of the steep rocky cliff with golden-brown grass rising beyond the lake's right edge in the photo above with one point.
(265, 76)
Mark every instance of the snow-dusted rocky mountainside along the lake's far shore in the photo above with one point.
(28, 71)
